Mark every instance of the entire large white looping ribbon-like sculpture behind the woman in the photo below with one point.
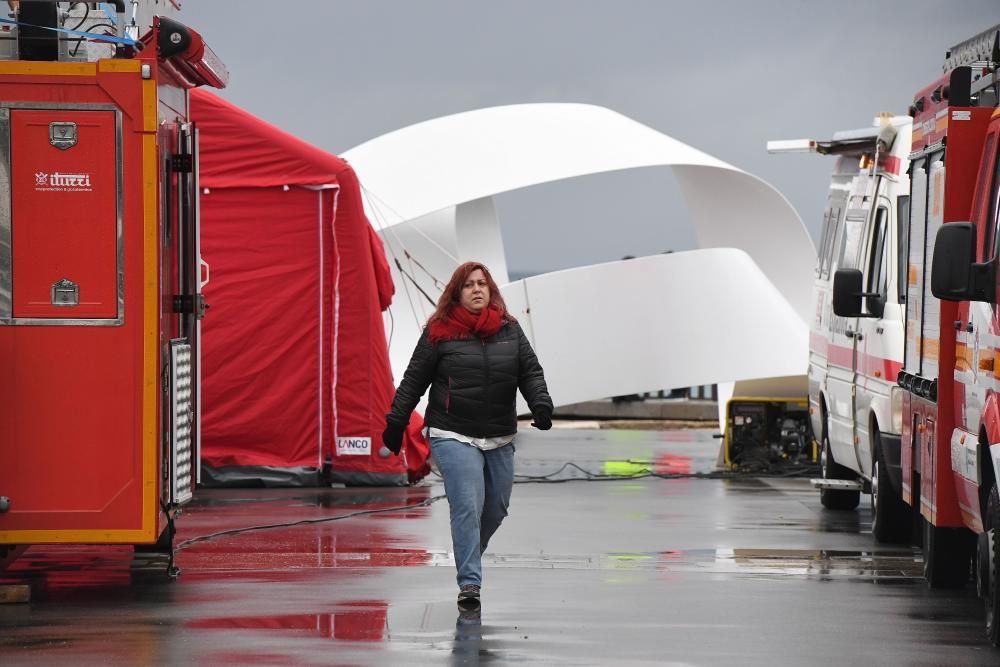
(429, 190)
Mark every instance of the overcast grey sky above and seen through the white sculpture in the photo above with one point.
(722, 76)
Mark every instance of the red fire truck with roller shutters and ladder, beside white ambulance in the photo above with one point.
(950, 448)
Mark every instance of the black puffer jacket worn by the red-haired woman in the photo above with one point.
(473, 383)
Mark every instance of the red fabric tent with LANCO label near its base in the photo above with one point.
(295, 368)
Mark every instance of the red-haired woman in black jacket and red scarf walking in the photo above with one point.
(474, 357)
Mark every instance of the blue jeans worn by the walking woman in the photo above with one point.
(478, 485)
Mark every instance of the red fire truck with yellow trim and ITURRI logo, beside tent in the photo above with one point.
(100, 280)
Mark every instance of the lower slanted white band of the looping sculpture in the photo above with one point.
(612, 329)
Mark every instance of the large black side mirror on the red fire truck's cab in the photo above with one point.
(955, 276)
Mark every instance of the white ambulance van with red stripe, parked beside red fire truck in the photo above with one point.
(854, 402)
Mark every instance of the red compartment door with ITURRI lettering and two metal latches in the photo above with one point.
(64, 213)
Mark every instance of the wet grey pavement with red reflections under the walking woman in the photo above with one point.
(694, 571)
